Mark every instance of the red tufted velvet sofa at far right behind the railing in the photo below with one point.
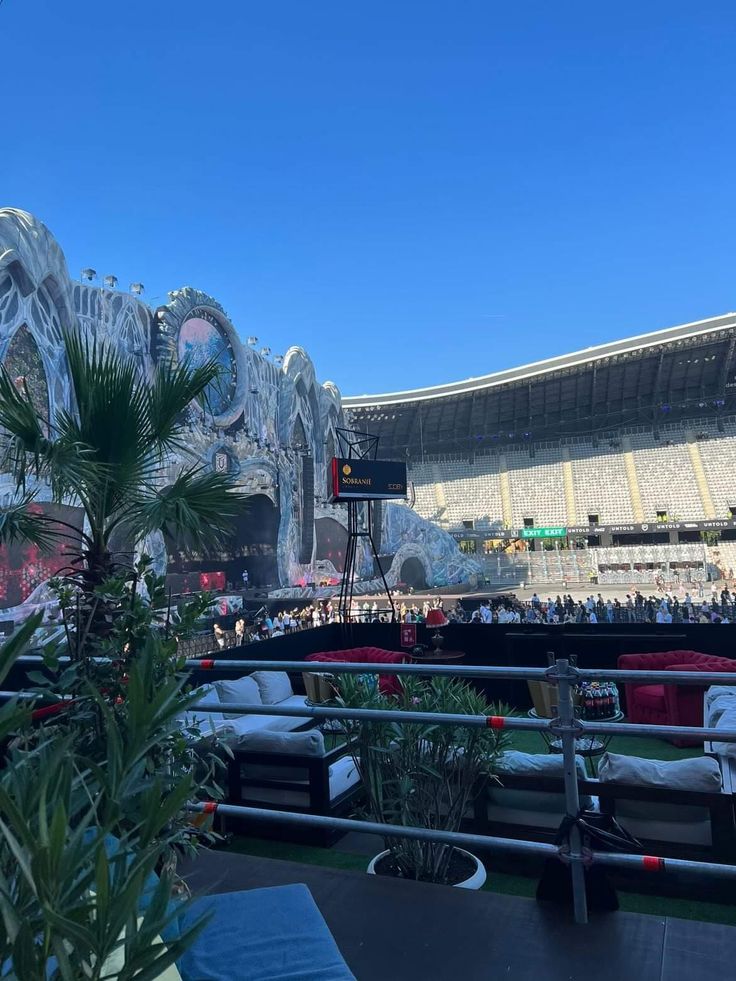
(676, 705)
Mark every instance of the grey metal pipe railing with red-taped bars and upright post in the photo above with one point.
(565, 726)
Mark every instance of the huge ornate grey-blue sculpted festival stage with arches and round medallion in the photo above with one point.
(268, 421)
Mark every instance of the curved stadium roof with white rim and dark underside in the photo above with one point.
(680, 371)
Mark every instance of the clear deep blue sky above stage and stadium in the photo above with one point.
(414, 191)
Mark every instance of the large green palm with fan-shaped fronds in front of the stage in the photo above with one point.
(106, 454)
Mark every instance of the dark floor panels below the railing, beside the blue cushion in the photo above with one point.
(389, 930)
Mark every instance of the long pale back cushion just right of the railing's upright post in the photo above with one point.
(702, 773)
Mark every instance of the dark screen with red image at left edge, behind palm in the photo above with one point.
(24, 566)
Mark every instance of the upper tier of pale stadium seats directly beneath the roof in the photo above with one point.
(453, 491)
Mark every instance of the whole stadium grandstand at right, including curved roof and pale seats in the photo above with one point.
(614, 463)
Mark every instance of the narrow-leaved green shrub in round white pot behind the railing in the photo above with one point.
(422, 775)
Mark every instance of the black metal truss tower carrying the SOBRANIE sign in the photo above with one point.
(358, 480)
